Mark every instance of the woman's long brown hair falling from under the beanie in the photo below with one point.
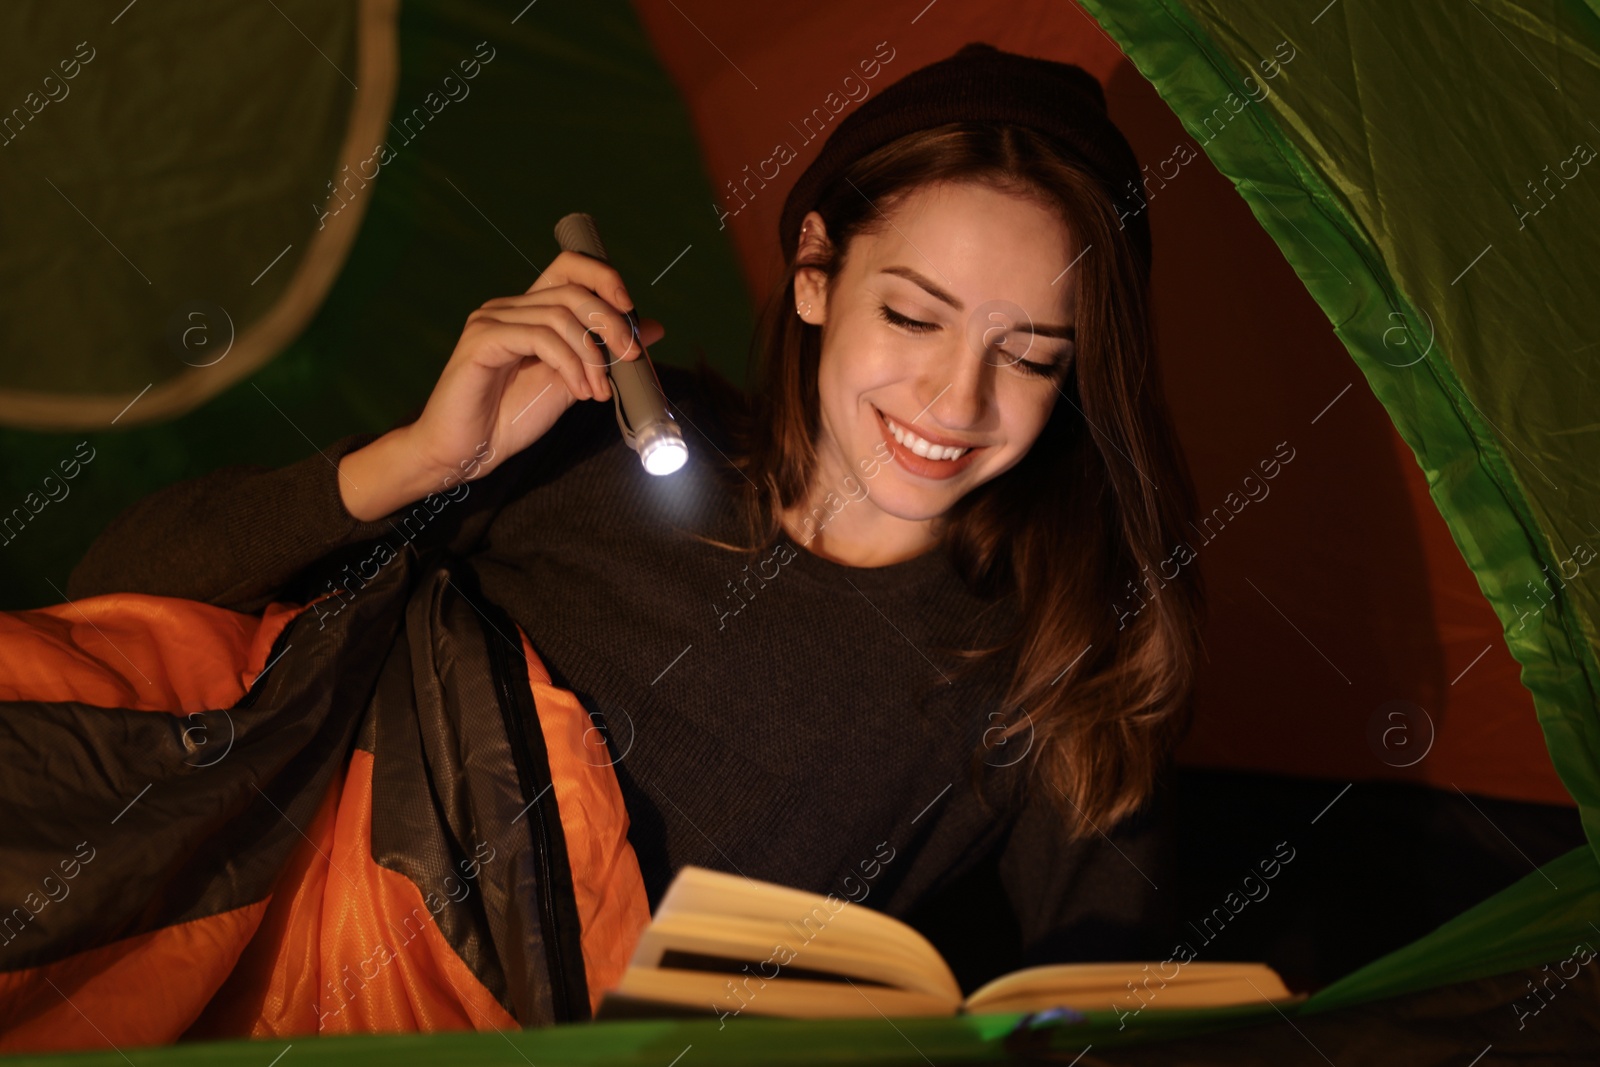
(1094, 510)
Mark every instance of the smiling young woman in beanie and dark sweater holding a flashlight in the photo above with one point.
(910, 609)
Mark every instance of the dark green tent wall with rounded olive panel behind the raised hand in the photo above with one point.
(463, 212)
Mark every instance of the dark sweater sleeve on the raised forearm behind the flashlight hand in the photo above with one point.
(234, 538)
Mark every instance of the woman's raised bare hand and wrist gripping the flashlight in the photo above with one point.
(521, 362)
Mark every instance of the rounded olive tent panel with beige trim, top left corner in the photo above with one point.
(142, 329)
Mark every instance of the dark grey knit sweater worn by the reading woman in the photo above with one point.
(790, 721)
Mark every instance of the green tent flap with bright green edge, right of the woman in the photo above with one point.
(1478, 361)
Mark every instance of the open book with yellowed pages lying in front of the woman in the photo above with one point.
(726, 945)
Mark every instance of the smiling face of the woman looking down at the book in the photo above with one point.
(950, 327)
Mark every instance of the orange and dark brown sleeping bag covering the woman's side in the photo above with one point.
(218, 825)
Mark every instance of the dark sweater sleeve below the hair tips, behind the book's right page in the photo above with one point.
(1108, 897)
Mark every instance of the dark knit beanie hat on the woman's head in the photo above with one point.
(983, 84)
